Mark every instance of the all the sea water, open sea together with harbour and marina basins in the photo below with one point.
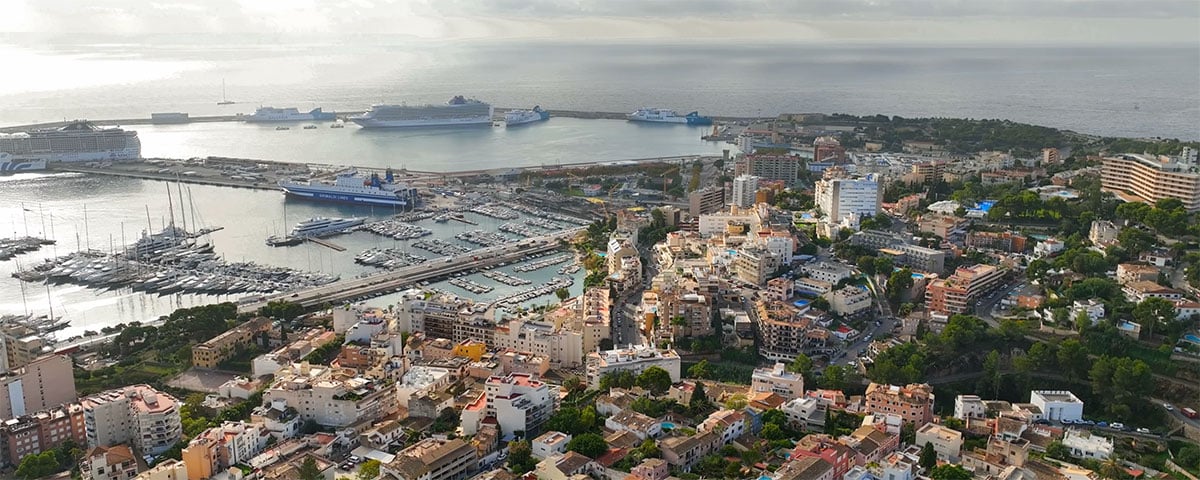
(1135, 92)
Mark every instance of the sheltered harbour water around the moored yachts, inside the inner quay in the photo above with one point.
(99, 213)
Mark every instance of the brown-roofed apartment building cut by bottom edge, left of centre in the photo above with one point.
(433, 460)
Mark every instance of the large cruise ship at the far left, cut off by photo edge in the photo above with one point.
(76, 142)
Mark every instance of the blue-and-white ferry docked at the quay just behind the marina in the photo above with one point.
(352, 188)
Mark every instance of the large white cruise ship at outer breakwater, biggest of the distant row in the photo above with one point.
(458, 112)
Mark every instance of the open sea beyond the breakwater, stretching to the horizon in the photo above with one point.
(1142, 92)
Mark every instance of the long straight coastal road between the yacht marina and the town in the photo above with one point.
(353, 289)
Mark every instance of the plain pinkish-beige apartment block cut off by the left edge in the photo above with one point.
(40, 385)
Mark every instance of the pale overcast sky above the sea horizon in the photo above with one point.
(1111, 22)
